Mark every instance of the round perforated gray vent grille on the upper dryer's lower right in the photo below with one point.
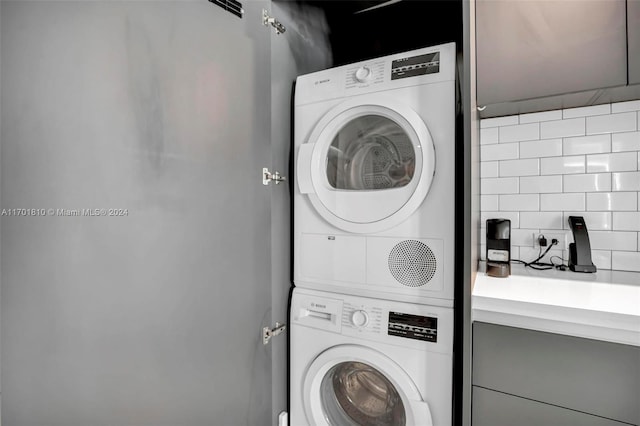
(412, 263)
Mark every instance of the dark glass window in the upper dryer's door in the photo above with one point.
(370, 153)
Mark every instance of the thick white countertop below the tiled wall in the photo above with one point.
(603, 306)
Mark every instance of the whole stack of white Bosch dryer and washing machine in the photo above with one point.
(371, 317)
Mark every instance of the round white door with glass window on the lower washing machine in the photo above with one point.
(351, 385)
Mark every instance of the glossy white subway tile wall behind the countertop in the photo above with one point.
(538, 169)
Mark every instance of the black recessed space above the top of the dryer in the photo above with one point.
(394, 28)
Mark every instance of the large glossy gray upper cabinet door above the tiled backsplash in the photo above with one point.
(530, 49)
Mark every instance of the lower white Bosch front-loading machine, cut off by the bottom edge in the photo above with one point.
(363, 361)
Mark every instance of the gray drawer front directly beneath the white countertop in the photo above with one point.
(595, 377)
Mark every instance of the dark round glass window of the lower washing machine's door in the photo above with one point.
(357, 394)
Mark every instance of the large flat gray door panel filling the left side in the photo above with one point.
(149, 314)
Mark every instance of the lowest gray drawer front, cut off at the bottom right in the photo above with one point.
(492, 408)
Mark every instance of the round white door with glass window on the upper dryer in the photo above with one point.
(367, 165)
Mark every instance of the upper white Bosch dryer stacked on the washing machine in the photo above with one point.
(375, 172)
